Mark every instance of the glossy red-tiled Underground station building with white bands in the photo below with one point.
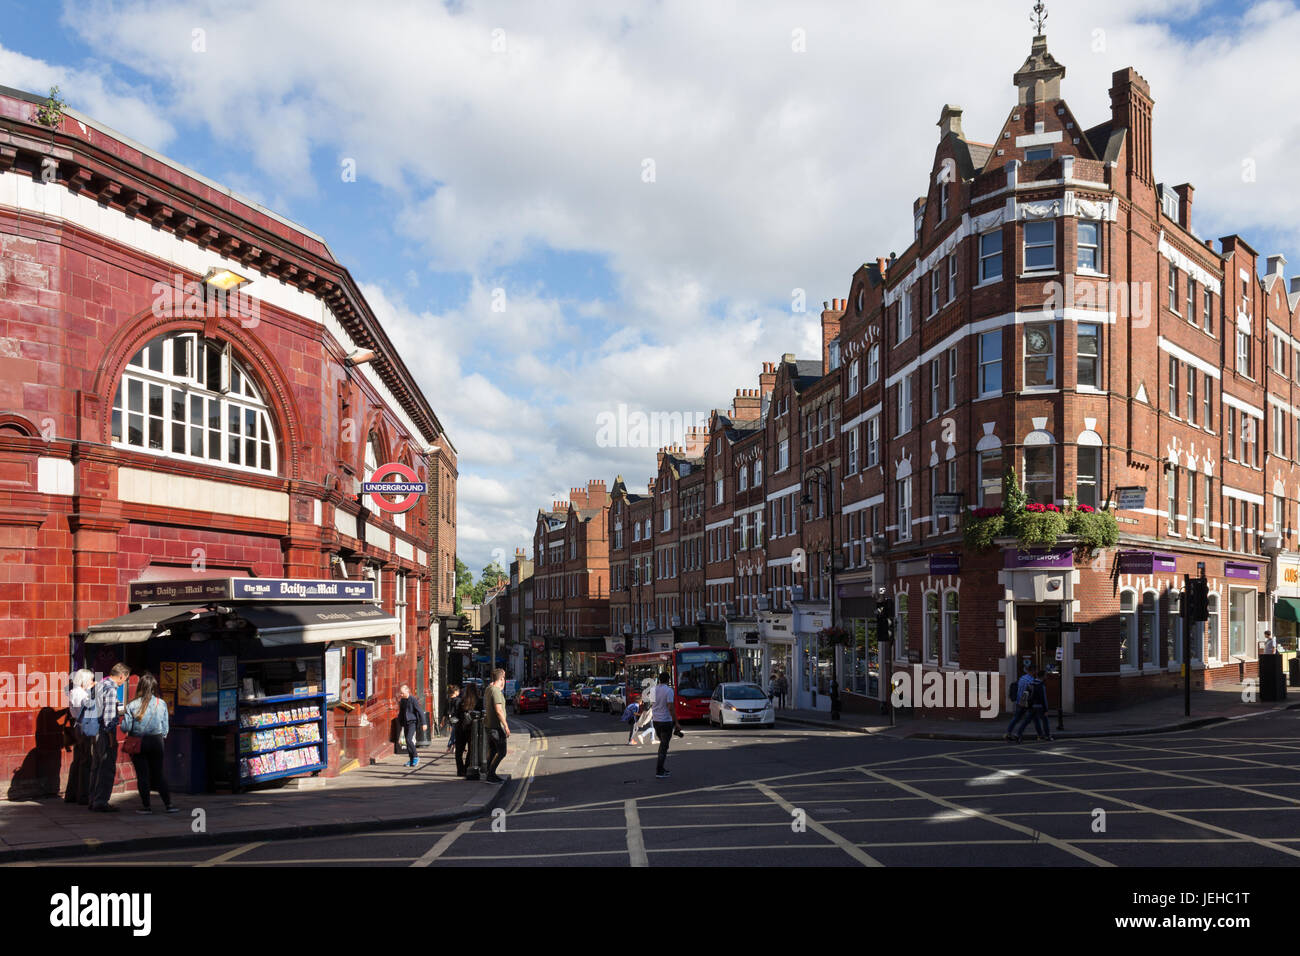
(151, 429)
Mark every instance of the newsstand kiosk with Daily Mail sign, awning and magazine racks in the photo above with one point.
(261, 676)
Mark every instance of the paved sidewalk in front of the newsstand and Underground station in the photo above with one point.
(384, 795)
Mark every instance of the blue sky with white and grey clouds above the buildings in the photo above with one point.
(557, 210)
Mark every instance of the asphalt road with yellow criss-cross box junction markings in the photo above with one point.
(800, 797)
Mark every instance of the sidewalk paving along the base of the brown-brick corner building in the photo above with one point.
(1150, 717)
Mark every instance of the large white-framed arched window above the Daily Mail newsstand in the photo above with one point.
(188, 397)
